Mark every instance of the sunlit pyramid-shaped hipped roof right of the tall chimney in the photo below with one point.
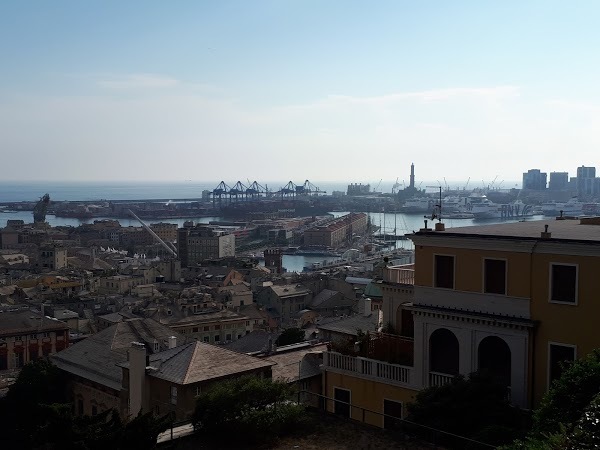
(196, 361)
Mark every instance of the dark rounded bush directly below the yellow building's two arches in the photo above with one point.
(475, 407)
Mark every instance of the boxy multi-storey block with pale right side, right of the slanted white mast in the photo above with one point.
(200, 243)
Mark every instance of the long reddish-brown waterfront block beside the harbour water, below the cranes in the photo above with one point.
(337, 232)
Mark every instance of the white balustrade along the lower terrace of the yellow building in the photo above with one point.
(370, 369)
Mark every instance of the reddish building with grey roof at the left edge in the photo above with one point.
(28, 335)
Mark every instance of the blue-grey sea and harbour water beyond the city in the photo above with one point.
(398, 223)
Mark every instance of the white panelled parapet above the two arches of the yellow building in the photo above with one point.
(502, 305)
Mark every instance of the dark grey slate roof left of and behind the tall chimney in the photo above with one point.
(96, 357)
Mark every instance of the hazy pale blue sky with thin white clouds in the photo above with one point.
(274, 90)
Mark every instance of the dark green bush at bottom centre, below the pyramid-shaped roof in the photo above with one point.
(258, 409)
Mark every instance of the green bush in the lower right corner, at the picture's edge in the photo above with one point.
(569, 395)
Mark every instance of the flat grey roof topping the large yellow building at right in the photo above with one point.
(567, 229)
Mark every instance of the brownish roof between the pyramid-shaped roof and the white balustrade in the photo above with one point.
(291, 365)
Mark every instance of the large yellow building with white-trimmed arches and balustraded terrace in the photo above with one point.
(515, 299)
